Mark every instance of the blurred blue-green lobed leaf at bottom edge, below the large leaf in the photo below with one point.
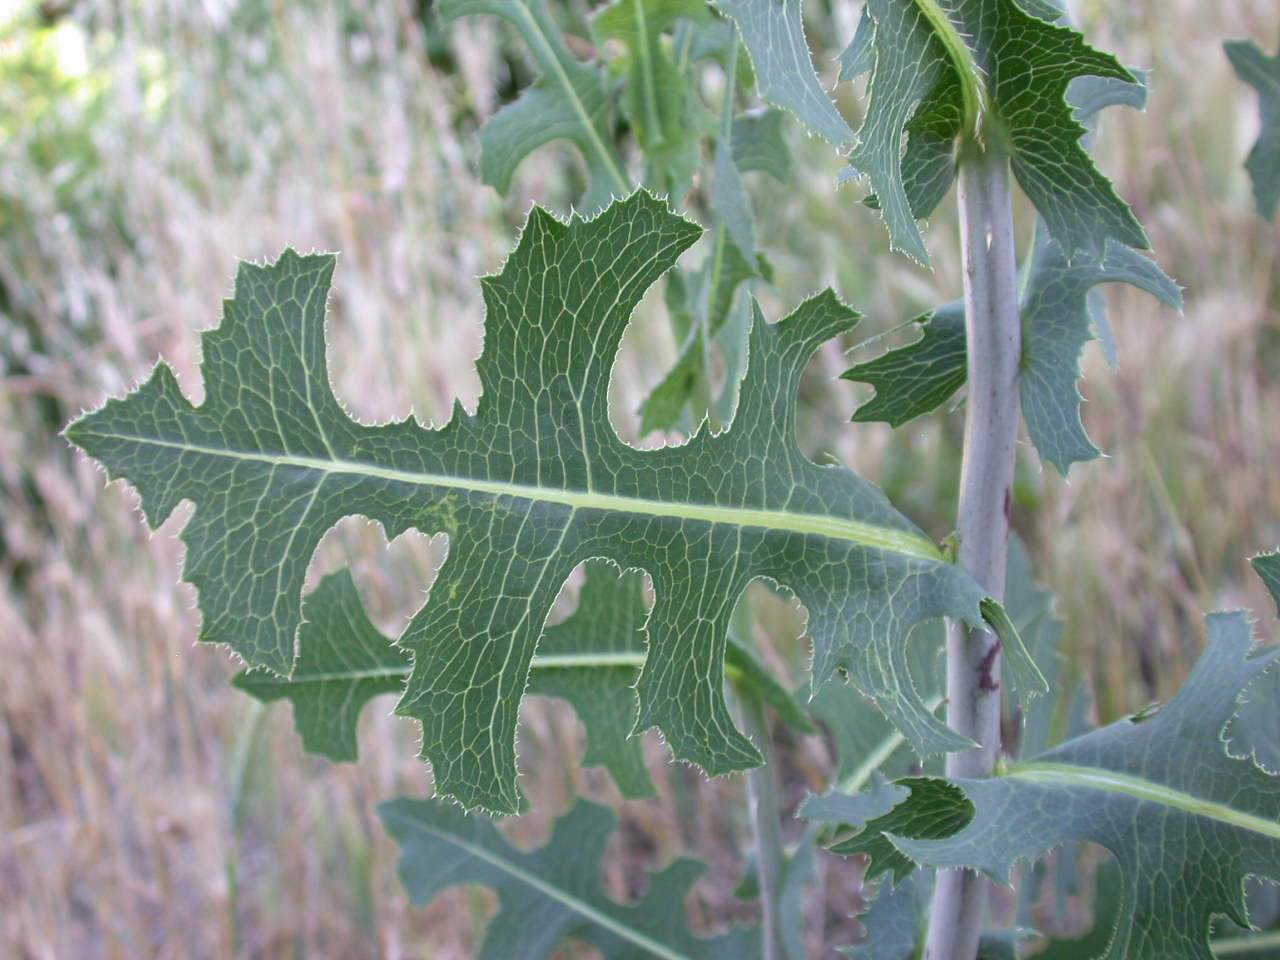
(552, 894)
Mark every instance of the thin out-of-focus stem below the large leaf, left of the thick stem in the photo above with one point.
(766, 826)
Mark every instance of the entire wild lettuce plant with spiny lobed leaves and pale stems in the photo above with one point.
(984, 94)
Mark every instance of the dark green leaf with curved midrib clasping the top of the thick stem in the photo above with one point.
(950, 70)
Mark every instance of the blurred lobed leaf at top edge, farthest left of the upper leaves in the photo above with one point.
(569, 102)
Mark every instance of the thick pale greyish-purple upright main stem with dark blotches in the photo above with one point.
(988, 473)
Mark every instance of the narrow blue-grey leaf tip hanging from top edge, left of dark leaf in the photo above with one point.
(774, 34)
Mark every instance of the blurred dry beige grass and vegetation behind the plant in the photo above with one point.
(147, 808)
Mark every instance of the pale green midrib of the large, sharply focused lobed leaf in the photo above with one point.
(834, 528)
